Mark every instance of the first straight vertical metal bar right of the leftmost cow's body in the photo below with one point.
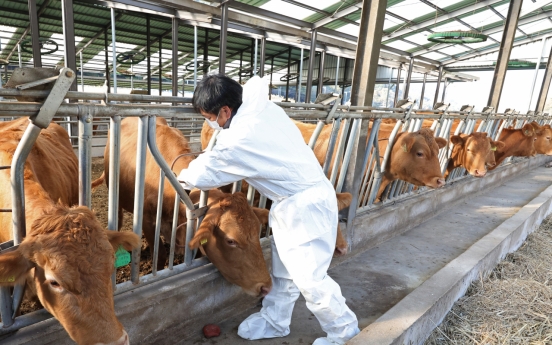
(85, 155)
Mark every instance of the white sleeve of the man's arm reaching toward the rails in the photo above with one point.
(214, 169)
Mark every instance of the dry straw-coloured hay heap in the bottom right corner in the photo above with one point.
(511, 306)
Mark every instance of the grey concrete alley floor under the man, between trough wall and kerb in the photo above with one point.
(373, 281)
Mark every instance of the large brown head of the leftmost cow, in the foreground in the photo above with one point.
(73, 260)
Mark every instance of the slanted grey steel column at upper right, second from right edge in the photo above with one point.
(504, 53)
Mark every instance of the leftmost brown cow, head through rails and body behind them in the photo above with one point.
(67, 258)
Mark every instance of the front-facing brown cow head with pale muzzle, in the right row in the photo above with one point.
(475, 152)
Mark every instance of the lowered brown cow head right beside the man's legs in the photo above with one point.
(229, 234)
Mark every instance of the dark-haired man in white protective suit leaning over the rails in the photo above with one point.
(261, 144)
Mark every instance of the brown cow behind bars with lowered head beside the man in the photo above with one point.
(223, 211)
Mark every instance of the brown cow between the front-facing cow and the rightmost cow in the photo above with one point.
(517, 143)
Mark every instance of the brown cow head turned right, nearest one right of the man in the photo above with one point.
(414, 158)
